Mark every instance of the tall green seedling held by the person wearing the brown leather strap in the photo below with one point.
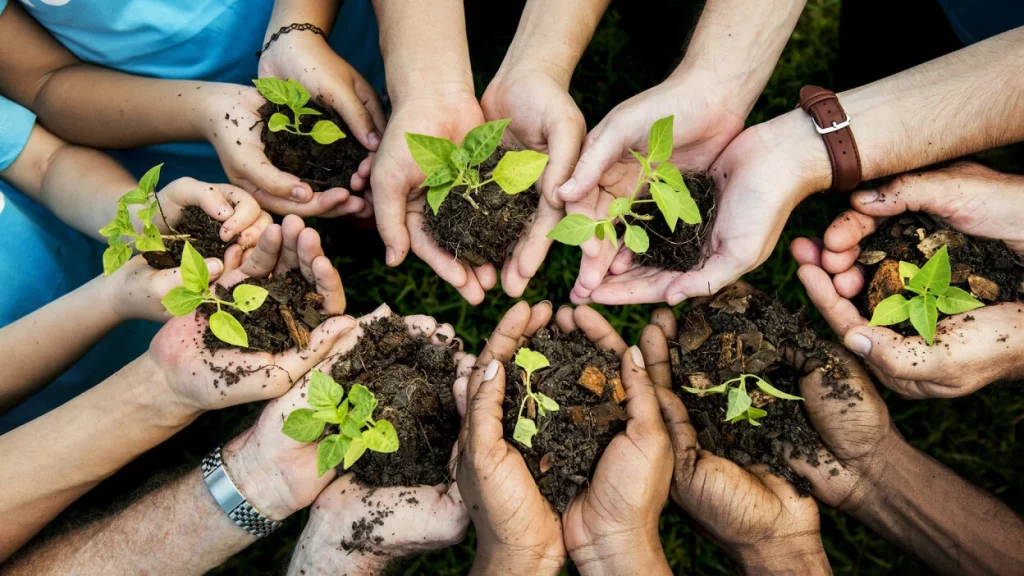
(668, 191)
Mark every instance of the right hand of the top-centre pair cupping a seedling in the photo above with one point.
(546, 119)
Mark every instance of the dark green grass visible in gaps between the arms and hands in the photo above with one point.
(632, 51)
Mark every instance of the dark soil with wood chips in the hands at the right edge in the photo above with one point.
(988, 269)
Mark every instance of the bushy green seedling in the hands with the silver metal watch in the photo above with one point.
(354, 417)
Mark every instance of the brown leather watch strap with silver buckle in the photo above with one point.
(833, 124)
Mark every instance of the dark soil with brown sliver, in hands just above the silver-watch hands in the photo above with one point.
(292, 310)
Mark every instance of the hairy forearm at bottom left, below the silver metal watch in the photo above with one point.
(179, 529)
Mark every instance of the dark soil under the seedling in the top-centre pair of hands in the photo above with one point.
(486, 233)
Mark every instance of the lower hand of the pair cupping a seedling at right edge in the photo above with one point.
(972, 350)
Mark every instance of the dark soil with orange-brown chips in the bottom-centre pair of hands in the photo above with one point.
(571, 441)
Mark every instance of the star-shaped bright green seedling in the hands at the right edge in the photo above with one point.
(930, 283)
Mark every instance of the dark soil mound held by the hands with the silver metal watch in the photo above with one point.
(412, 380)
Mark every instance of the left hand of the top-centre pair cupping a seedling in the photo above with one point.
(400, 200)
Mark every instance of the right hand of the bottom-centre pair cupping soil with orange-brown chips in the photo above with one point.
(614, 522)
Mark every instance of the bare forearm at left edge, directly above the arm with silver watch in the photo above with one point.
(53, 461)
